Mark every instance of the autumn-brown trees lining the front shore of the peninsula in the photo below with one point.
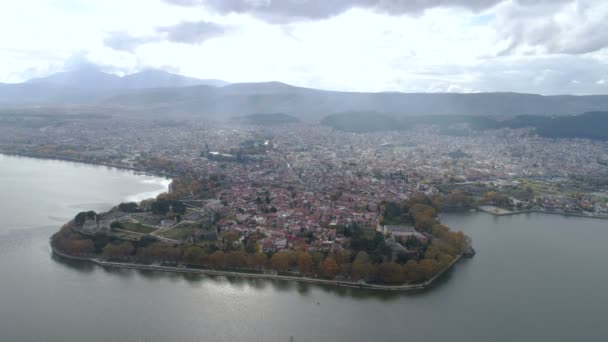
(344, 263)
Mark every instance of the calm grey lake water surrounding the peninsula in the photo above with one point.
(535, 278)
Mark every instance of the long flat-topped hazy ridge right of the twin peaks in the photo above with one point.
(313, 104)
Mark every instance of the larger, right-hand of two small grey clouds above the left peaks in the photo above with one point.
(192, 32)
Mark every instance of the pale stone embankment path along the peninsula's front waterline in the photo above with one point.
(187, 270)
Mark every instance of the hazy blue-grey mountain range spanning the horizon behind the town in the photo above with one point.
(155, 92)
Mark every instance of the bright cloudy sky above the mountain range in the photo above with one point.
(539, 46)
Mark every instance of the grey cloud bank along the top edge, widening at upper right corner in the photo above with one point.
(526, 26)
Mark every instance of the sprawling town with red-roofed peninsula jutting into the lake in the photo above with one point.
(307, 200)
